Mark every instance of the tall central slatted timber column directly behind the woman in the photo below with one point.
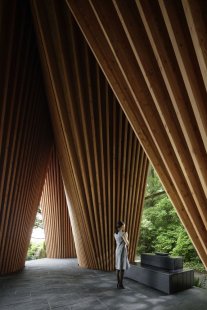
(103, 165)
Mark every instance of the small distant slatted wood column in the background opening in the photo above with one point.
(58, 232)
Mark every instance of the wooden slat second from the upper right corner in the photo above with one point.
(187, 61)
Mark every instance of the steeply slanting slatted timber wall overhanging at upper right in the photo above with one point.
(153, 54)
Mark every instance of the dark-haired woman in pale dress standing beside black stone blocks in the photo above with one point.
(122, 262)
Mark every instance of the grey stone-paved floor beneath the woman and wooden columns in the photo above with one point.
(60, 284)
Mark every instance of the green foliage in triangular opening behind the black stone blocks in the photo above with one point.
(161, 229)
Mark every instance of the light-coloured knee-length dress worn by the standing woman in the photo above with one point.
(121, 259)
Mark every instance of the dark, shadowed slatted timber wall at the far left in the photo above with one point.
(25, 134)
